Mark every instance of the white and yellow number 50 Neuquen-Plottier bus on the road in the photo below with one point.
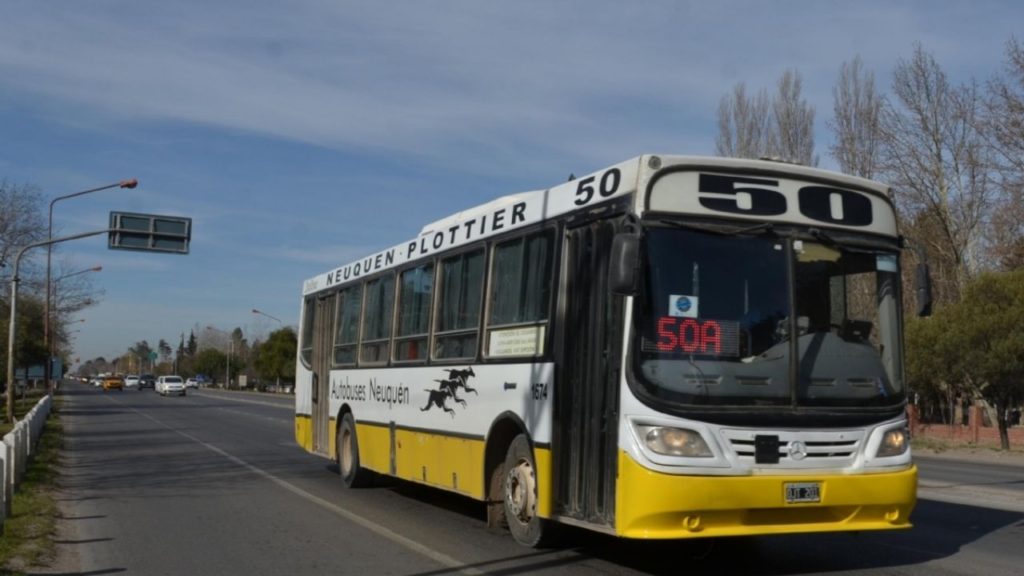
(670, 348)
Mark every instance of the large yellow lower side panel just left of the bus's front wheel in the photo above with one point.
(453, 464)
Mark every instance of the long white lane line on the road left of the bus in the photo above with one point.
(378, 529)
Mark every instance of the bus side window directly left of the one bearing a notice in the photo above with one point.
(457, 324)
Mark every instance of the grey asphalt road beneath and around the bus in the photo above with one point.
(214, 483)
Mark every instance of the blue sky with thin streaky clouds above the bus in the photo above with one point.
(302, 136)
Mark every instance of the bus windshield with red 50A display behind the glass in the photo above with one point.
(716, 321)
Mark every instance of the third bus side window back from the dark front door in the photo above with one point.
(415, 297)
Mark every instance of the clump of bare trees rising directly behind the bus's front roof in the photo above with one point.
(762, 127)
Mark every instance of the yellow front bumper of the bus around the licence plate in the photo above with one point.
(652, 505)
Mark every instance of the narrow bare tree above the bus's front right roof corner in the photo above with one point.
(858, 112)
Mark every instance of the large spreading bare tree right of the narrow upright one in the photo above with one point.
(937, 161)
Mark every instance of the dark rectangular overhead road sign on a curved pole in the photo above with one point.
(150, 233)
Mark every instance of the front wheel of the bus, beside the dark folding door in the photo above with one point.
(520, 496)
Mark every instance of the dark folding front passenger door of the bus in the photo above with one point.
(587, 404)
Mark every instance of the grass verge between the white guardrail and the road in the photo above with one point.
(29, 533)
